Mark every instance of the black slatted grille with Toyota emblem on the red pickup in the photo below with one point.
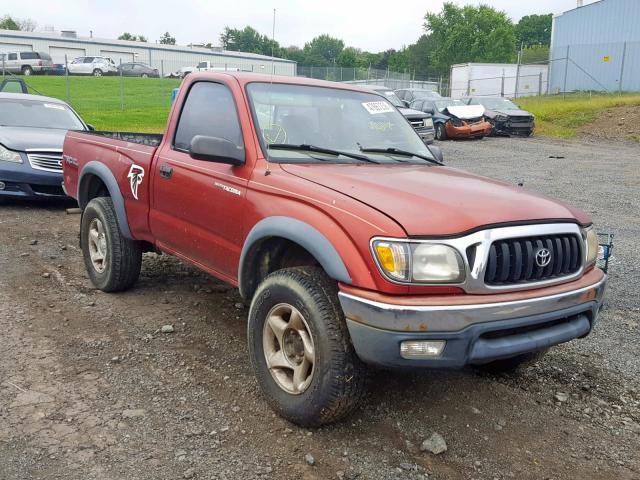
(513, 260)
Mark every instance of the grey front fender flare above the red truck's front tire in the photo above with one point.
(292, 232)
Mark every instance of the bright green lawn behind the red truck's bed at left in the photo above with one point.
(100, 101)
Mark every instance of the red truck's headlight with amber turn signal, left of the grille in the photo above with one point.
(418, 262)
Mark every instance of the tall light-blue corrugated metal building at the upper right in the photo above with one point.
(596, 47)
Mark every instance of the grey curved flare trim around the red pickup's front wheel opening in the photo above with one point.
(299, 232)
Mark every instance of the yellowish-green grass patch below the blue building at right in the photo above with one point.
(558, 117)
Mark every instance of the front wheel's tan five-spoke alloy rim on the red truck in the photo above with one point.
(288, 348)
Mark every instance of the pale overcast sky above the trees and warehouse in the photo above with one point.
(369, 25)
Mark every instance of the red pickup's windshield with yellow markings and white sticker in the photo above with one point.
(331, 119)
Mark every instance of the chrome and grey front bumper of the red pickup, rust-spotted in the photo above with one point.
(475, 333)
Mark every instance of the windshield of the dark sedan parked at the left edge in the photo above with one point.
(37, 114)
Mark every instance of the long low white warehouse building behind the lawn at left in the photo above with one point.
(166, 58)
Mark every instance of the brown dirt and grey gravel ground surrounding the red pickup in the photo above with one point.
(91, 389)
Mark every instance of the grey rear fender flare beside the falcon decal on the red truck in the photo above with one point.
(96, 178)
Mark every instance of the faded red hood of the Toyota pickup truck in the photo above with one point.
(433, 200)
